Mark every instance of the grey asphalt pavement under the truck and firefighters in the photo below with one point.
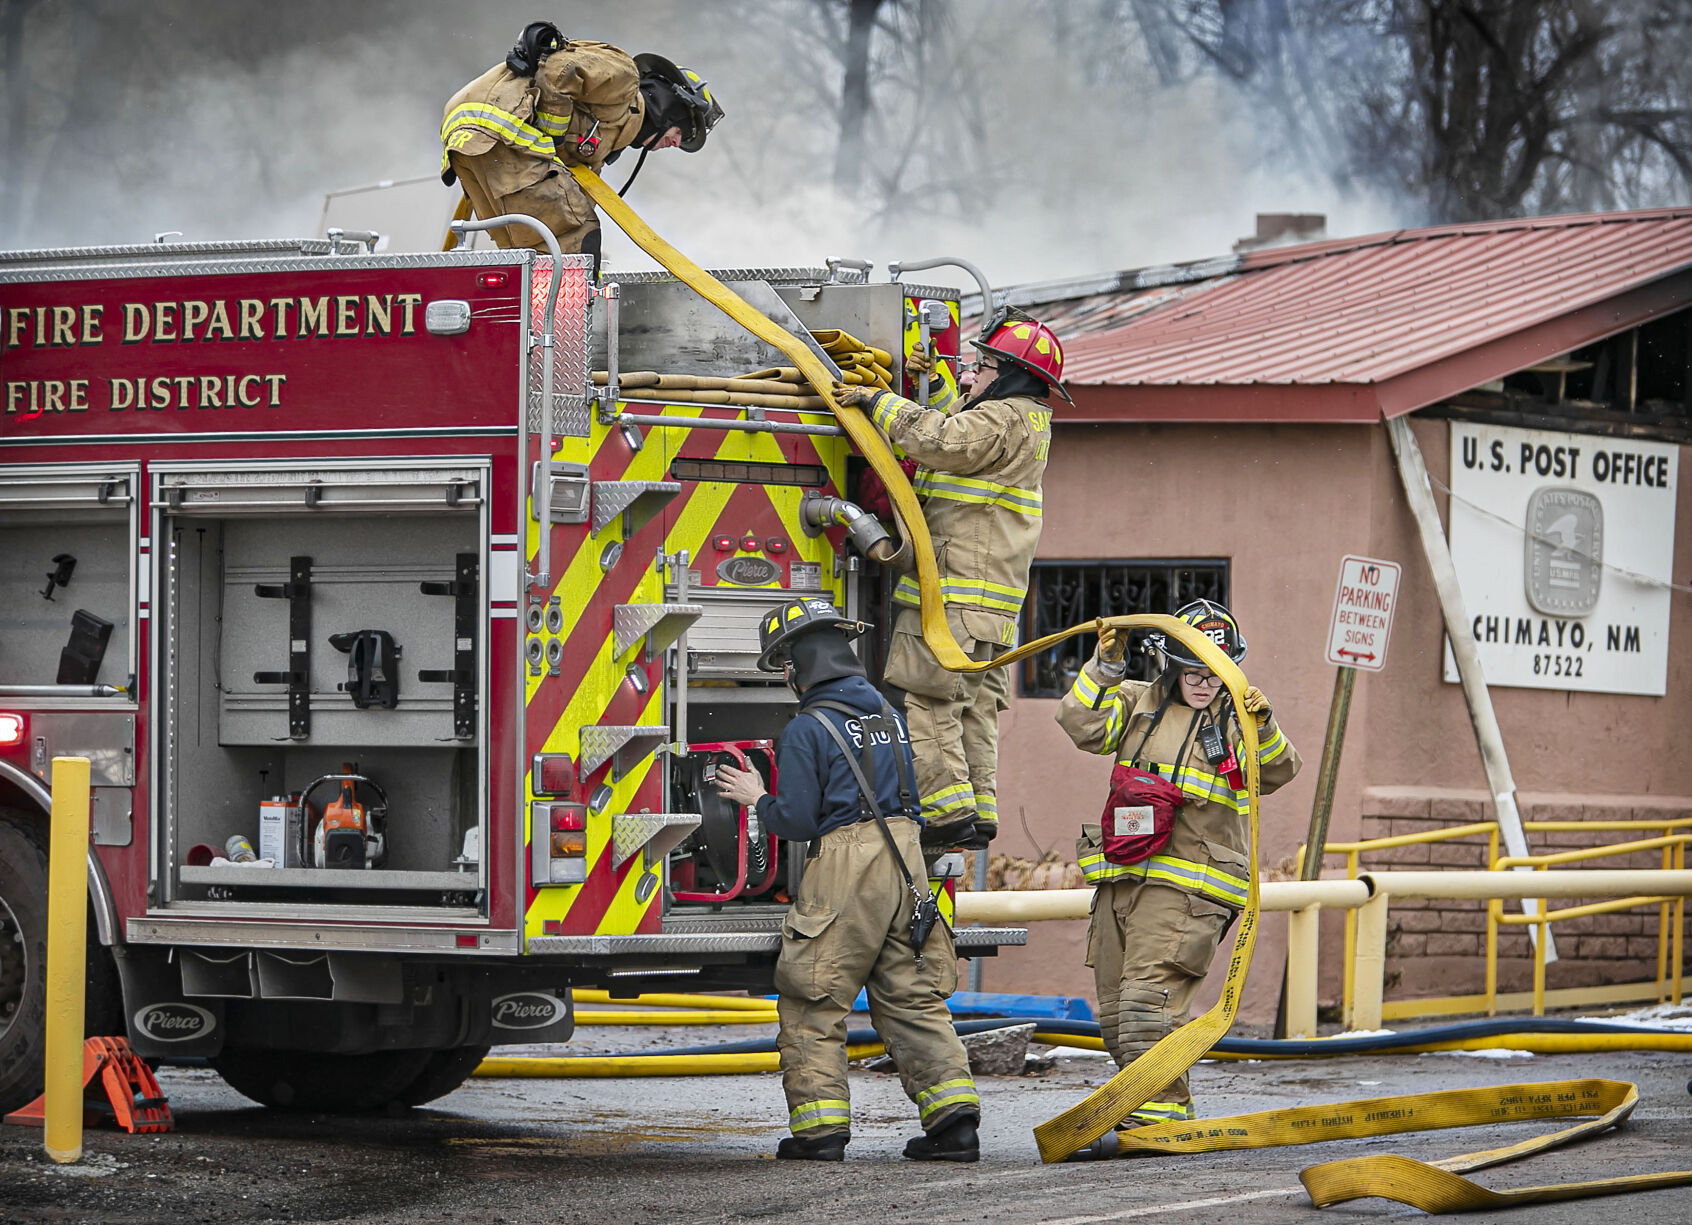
(701, 1150)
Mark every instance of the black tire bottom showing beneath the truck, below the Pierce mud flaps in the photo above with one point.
(312, 1082)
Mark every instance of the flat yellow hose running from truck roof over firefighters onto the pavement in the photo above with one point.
(1427, 1187)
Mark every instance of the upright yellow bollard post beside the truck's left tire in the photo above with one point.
(67, 959)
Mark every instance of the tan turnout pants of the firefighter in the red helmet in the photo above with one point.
(953, 722)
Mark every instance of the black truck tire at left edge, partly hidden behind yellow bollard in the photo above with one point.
(25, 964)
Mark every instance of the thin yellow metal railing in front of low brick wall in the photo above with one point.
(1669, 909)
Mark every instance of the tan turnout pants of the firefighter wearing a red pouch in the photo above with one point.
(1150, 948)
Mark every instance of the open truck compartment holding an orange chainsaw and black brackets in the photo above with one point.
(310, 629)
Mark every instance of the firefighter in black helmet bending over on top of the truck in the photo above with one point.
(512, 135)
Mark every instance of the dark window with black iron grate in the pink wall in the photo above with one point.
(1063, 595)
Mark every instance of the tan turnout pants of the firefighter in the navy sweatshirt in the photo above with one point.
(850, 930)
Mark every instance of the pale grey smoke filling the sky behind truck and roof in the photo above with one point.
(989, 141)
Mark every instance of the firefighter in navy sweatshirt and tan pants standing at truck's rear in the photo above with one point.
(862, 918)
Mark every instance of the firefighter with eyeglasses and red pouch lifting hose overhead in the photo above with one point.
(1167, 899)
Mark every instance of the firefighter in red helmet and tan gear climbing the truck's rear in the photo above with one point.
(981, 486)
